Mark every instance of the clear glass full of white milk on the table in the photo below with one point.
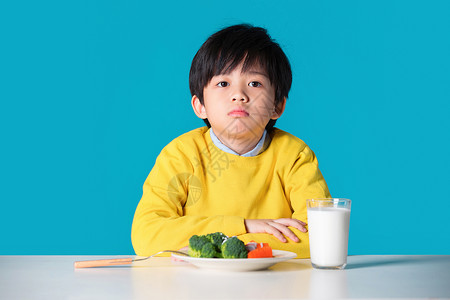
(328, 224)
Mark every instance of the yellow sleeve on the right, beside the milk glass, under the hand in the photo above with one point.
(304, 181)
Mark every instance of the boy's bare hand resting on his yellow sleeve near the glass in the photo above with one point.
(276, 227)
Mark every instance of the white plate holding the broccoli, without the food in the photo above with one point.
(238, 264)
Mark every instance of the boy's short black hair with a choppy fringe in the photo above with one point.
(223, 51)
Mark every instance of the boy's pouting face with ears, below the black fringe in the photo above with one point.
(239, 104)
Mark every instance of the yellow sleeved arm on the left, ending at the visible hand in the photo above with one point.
(159, 222)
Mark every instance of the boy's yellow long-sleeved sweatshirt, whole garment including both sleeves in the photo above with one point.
(196, 188)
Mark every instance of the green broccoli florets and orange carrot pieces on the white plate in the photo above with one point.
(218, 245)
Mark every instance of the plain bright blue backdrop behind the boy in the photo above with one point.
(91, 91)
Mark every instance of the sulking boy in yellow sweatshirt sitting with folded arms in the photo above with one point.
(238, 175)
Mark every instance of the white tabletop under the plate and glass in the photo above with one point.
(368, 276)
